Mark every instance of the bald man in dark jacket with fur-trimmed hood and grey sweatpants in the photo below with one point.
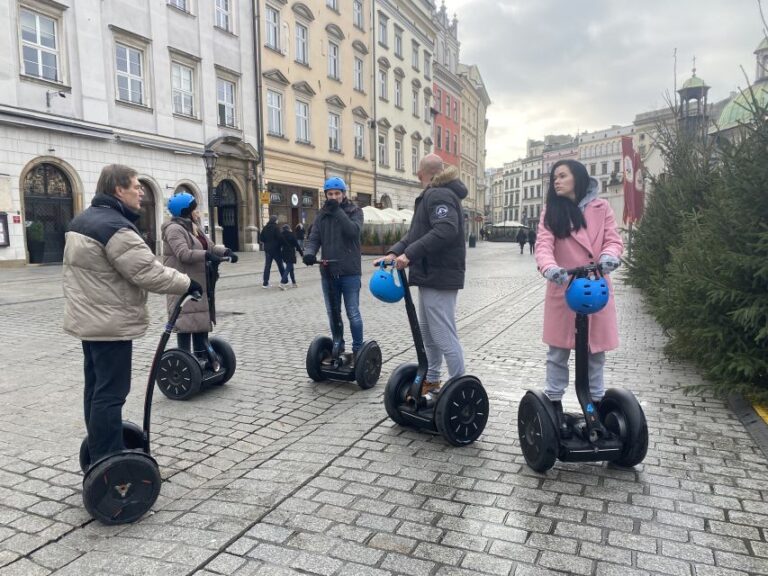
(434, 251)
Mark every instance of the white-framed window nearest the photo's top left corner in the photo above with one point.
(39, 45)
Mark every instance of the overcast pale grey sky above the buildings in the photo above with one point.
(562, 66)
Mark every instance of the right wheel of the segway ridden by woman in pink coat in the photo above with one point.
(621, 413)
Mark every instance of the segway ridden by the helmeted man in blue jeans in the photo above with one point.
(325, 358)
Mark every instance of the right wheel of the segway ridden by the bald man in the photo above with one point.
(462, 410)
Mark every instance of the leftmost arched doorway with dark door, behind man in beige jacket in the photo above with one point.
(47, 212)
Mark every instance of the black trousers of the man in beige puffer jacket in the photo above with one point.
(107, 383)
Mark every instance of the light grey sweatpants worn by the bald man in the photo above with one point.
(437, 320)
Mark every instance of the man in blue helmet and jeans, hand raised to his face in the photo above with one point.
(337, 231)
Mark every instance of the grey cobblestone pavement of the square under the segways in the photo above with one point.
(273, 474)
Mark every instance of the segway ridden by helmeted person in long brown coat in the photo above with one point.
(182, 374)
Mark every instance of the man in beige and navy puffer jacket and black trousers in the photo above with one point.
(108, 271)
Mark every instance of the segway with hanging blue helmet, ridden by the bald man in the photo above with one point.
(460, 411)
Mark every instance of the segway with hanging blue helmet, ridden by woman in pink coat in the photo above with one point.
(615, 431)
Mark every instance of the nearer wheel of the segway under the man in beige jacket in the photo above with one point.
(121, 488)
